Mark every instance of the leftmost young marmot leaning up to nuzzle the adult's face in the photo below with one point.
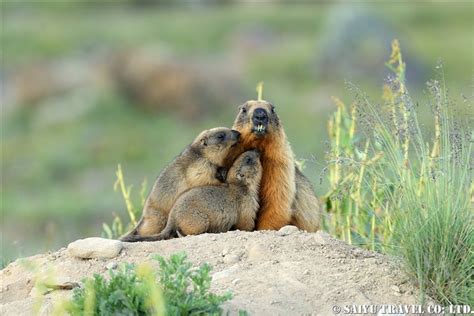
(199, 164)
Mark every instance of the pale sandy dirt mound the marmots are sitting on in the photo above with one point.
(285, 272)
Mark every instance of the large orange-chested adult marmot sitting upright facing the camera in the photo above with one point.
(286, 195)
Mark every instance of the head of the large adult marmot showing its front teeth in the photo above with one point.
(257, 118)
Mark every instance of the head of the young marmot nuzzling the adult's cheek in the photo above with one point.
(214, 144)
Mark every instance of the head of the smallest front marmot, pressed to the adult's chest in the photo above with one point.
(246, 169)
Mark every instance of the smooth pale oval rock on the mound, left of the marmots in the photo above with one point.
(95, 247)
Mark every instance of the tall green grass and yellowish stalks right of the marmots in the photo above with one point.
(406, 190)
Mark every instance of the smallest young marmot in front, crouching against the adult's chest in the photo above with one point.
(218, 208)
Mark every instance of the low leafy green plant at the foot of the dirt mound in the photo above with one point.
(133, 290)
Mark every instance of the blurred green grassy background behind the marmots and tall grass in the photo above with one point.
(88, 86)
